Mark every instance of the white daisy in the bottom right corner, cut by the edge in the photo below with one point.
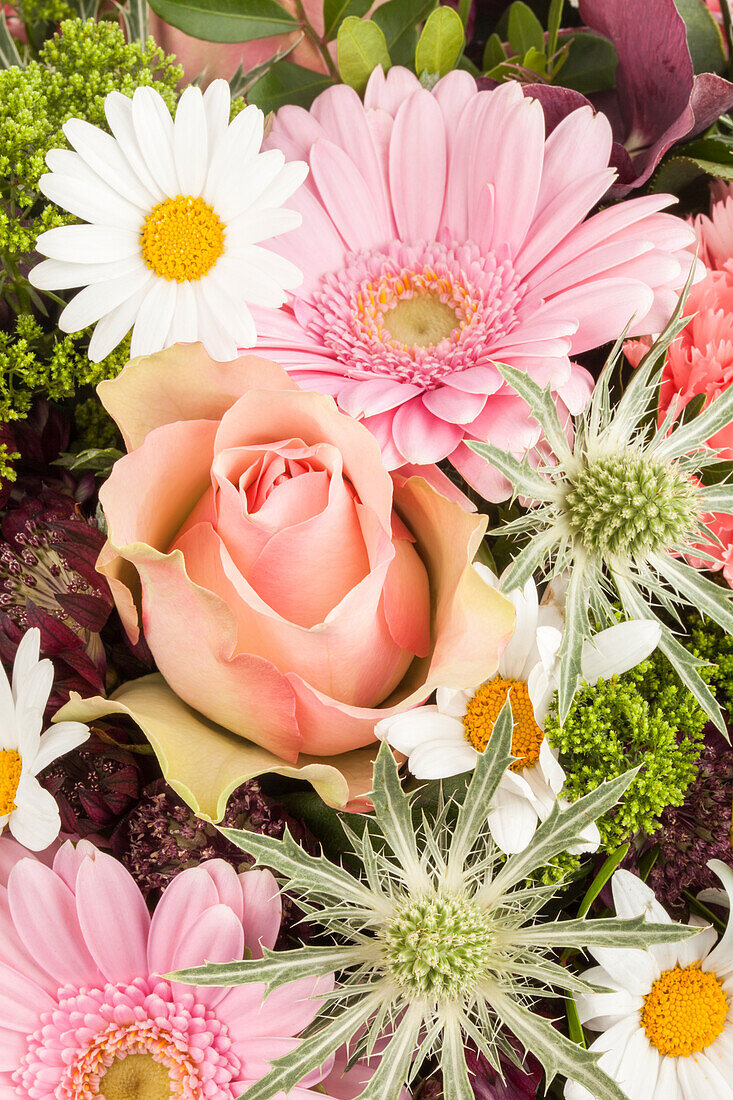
(668, 1017)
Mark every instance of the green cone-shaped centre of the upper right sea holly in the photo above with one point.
(630, 505)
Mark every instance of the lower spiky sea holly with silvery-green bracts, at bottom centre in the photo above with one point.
(437, 942)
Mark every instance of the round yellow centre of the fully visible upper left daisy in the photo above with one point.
(182, 239)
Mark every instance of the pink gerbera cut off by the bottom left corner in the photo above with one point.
(84, 1009)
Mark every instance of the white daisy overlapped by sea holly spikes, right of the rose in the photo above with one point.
(446, 740)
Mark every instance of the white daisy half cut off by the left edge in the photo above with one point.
(27, 808)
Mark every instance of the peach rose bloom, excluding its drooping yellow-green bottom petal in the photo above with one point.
(289, 589)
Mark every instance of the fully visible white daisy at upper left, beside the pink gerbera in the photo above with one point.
(177, 212)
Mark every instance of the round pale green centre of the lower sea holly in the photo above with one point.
(439, 947)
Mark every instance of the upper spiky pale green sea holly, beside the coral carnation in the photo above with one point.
(618, 511)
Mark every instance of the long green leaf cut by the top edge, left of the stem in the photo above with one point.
(226, 20)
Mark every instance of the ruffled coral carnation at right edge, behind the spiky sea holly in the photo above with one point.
(701, 362)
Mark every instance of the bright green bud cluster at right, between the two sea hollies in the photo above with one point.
(644, 719)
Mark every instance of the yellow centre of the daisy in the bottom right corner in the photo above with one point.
(685, 1011)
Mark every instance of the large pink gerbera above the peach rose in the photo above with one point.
(443, 233)
